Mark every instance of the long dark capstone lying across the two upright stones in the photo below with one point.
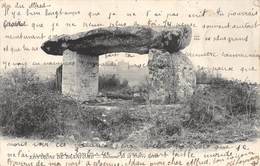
(133, 39)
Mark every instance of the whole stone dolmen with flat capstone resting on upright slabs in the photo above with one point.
(81, 56)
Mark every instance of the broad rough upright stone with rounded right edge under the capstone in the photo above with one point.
(172, 77)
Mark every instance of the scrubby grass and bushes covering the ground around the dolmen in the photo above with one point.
(222, 112)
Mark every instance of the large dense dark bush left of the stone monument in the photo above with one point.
(29, 107)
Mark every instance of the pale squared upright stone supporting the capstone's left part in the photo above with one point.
(80, 75)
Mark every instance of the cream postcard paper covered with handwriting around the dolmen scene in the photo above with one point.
(225, 39)
